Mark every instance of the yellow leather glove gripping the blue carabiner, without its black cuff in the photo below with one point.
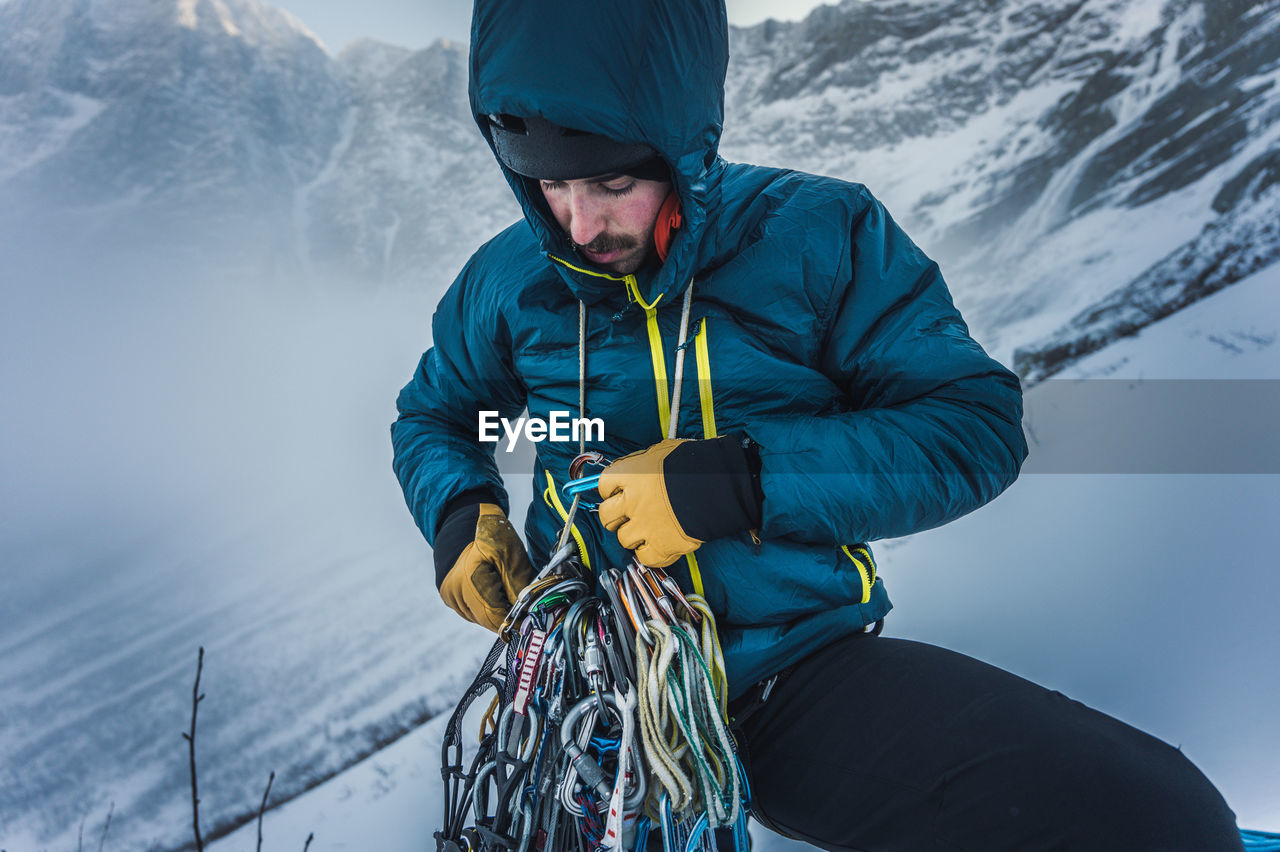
(637, 507)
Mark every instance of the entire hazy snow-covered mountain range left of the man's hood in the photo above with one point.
(227, 123)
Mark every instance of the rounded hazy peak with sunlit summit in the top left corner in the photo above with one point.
(195, 107)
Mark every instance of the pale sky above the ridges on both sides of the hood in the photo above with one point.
(417, 24)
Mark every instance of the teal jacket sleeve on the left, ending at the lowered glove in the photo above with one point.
(438, 455)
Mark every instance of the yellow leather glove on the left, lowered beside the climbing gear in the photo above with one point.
(490, 572)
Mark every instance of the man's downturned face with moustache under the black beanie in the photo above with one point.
(610, 218)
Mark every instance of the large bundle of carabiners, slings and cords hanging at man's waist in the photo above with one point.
(609, 721)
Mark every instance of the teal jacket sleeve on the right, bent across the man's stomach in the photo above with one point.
(932, 427)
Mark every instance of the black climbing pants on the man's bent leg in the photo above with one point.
(884, 744)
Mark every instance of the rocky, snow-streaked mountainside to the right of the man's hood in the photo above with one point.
(1053, 155)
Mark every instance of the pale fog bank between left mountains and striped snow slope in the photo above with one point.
(171, 407)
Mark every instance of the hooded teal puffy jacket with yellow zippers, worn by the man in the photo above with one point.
(819, 329)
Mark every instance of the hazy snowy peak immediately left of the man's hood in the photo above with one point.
(412, 190)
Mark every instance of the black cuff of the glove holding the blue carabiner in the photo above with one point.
(715, 487)
